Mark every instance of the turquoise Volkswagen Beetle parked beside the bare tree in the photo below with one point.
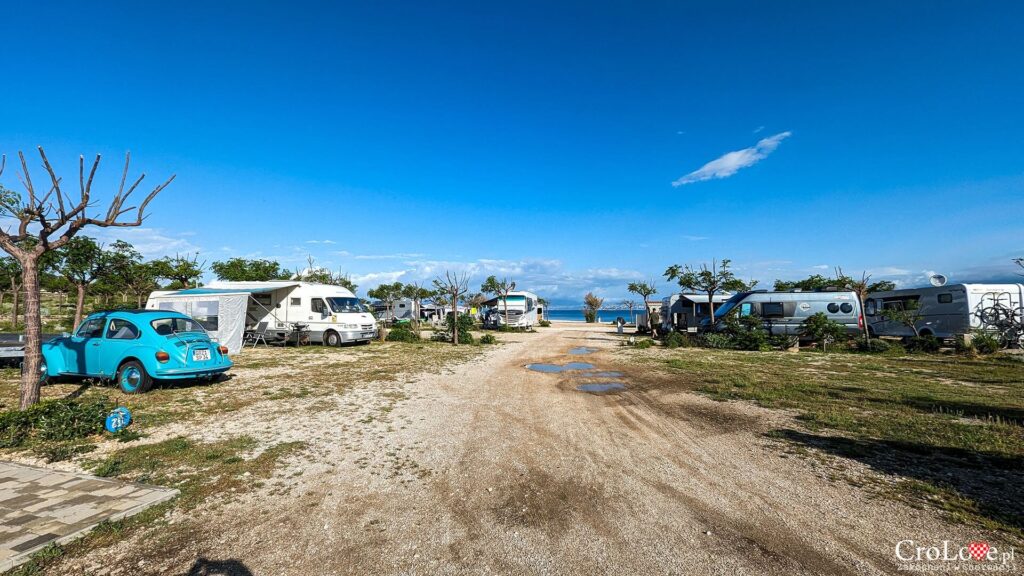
(134, 349)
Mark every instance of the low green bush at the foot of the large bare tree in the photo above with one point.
(54, 421)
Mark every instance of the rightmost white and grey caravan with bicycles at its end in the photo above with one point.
(947, 312)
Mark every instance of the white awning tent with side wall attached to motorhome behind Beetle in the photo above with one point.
(221, 311)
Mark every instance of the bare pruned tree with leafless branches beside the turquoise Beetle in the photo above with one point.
(49, 222)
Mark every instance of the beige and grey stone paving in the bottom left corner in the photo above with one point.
(39, 507)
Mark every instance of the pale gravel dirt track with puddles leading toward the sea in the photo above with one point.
(495, 469)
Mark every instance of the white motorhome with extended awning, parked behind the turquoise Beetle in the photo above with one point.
(332, 315)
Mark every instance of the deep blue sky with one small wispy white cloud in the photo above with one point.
(543, 140)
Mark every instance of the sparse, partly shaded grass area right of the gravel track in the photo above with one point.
(951, 428)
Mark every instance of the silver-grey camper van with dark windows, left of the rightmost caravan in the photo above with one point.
(784, 313)
